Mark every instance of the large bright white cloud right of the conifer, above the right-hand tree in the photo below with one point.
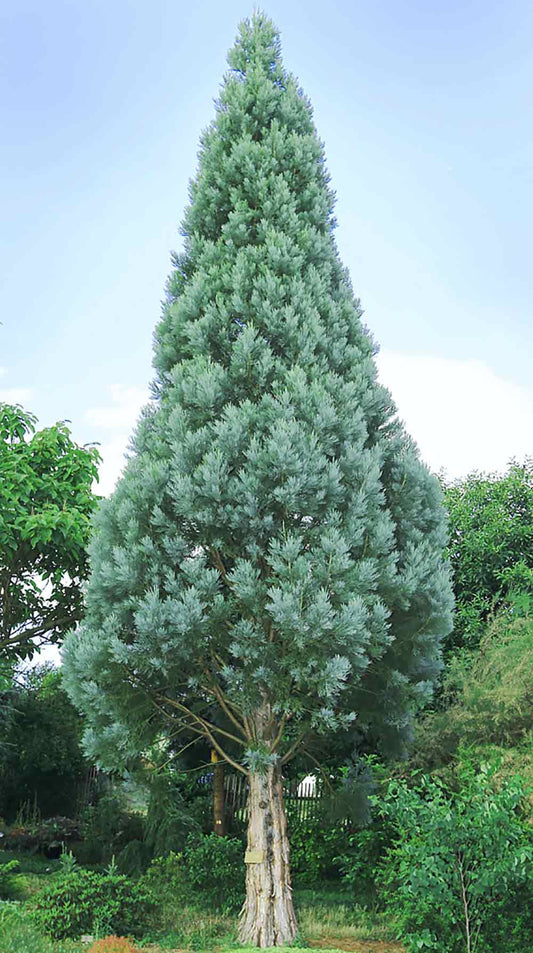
(463, 416)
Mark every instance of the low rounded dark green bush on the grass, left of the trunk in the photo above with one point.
(87, 902)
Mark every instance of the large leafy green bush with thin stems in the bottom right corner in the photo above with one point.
(460, 872)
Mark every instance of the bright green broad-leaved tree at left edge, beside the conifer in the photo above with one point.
(45, 506)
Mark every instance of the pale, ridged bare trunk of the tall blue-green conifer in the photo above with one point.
(267, 917)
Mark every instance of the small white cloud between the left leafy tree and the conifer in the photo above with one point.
(117, 419)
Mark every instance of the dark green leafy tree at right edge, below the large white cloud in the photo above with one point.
(491, 545)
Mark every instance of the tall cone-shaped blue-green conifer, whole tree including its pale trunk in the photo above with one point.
(270, 565)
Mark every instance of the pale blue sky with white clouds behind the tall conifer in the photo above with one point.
(426, 112)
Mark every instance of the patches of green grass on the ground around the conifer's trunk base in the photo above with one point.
(328, 919)
